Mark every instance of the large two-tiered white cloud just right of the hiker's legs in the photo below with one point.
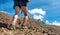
(38, 11)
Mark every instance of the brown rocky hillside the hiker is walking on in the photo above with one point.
(40, 28)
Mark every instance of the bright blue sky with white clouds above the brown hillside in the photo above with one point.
(47, 11)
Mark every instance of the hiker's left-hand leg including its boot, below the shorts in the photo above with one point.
(14, 19)
